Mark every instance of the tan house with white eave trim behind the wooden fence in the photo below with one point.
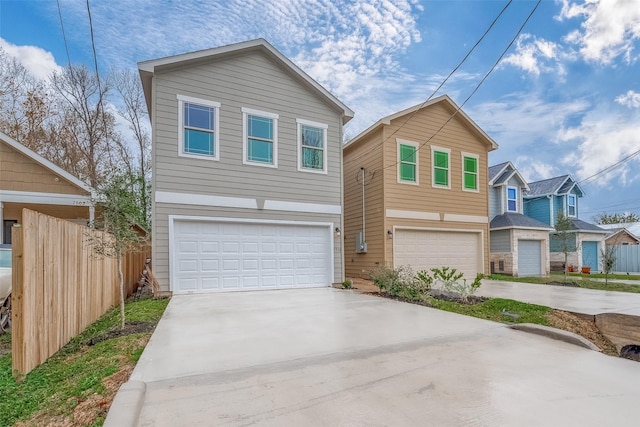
(27, 180)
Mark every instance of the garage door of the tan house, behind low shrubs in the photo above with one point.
(424, 249)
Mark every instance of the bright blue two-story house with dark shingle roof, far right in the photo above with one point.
(544, 200)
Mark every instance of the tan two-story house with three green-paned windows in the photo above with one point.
(416, 192)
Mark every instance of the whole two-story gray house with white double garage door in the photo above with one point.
(247, 171)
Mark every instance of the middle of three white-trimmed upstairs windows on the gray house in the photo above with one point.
(259, 138)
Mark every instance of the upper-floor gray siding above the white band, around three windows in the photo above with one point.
(250, 81)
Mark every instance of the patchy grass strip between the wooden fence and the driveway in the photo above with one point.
(77, 384)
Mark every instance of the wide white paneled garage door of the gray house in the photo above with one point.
(227, 256)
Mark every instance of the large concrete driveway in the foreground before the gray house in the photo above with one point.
(327, 357)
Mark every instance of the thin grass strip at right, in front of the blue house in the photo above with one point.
(583, 280)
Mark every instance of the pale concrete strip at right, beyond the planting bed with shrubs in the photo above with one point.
(578, 300)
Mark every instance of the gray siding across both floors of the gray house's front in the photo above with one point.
(247, 80)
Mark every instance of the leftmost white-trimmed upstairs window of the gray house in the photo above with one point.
(198, 124)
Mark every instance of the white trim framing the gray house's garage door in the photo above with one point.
(172, 219)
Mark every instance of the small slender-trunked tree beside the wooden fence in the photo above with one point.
(119, 211)
